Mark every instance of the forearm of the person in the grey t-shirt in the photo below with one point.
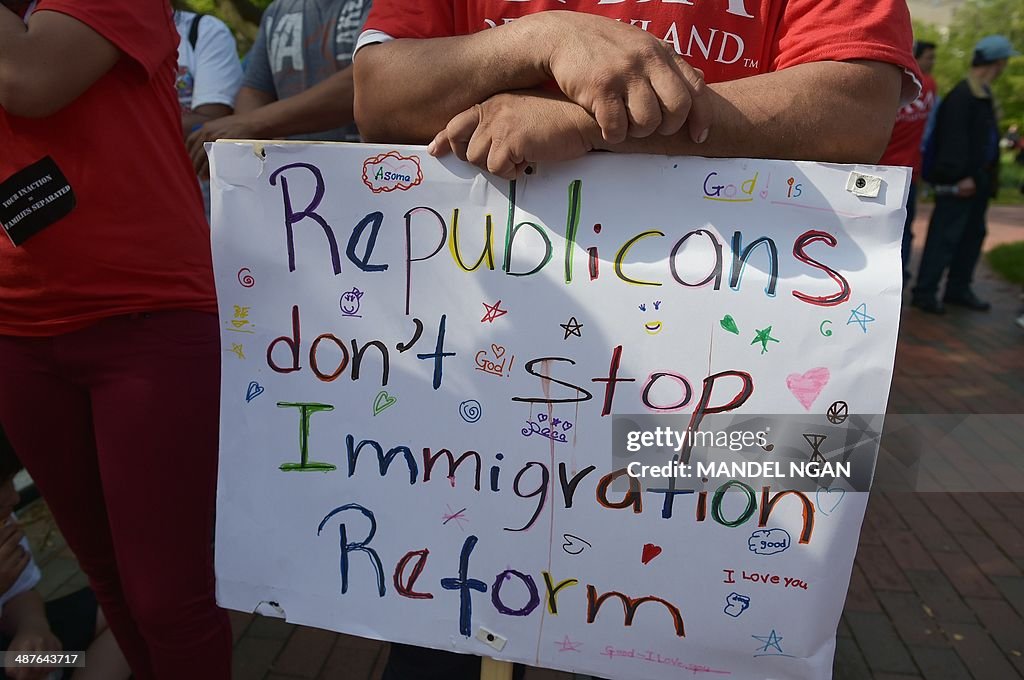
(324, 107)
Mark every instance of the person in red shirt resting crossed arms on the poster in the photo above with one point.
(503, 84)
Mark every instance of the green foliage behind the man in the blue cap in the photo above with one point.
(971, 22)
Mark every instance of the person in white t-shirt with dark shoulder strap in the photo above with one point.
(209, 73)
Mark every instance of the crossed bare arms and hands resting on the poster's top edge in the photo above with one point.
(621, 90)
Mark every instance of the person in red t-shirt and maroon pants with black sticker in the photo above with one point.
(110, 349)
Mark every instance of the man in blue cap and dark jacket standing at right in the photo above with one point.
(962, 161)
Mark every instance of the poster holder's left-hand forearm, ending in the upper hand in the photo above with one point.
(408, 91)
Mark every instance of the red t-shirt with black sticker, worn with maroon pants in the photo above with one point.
(137, 240)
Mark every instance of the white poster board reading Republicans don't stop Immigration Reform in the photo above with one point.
(367, 328)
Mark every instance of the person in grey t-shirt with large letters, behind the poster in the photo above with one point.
(298, 81)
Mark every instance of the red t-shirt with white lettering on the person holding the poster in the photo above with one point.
(728, 39)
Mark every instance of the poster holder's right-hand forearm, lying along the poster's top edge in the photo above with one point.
(833, 112)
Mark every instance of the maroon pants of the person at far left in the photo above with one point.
(117, 424)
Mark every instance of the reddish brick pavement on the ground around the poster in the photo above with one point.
(937, 591)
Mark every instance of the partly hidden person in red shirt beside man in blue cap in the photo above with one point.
(909, 133)
